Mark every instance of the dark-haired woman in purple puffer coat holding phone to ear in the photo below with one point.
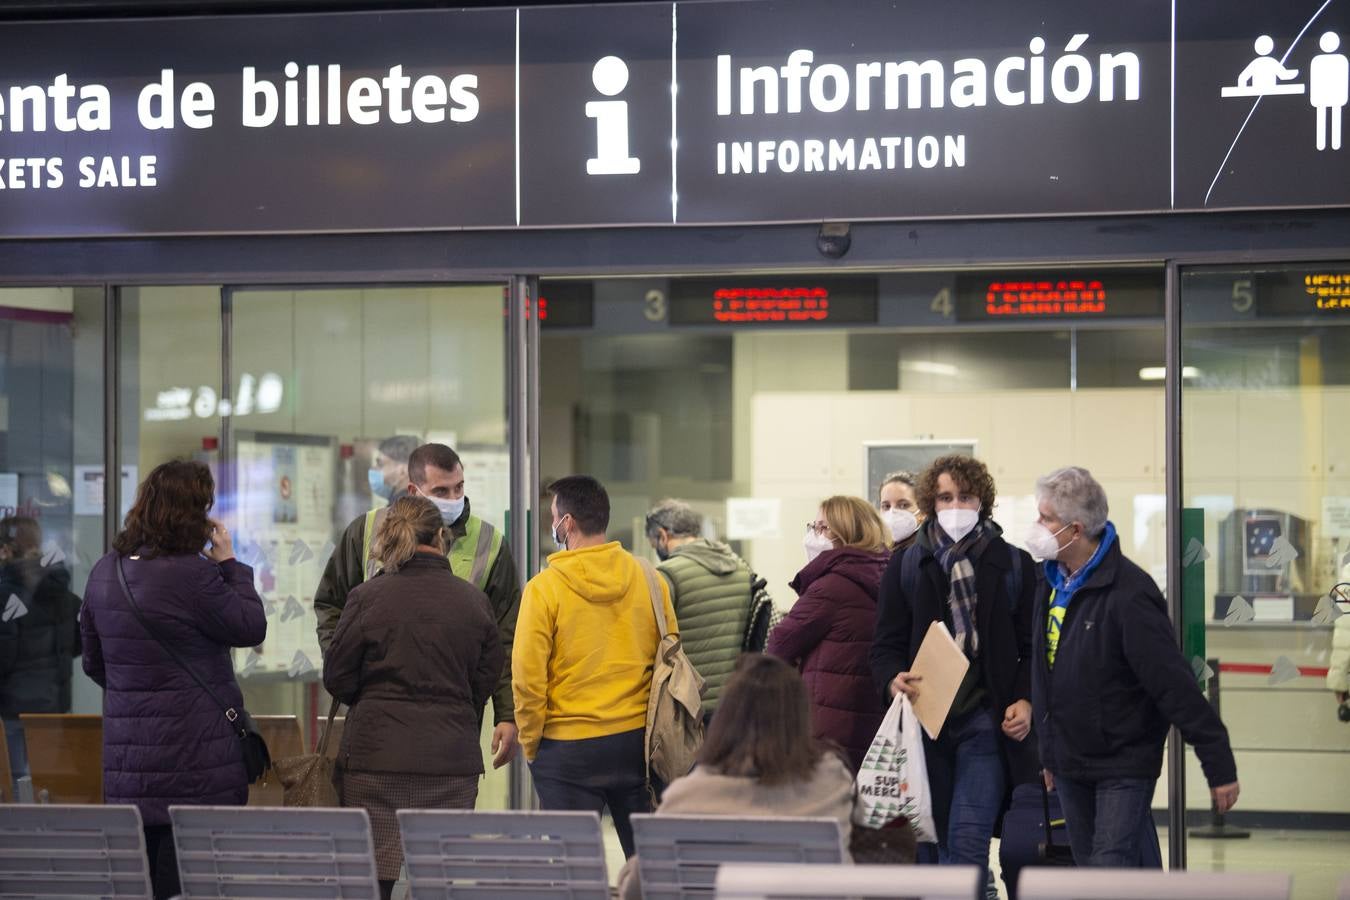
(165, 743)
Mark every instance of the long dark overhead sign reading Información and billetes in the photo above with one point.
(757, 111)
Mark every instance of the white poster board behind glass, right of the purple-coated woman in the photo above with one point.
(286, 496)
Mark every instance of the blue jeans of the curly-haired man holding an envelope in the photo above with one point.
(978, 785)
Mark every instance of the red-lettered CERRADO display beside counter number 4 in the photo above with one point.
(1073, 295)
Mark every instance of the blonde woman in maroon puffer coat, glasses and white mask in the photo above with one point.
(828, 634)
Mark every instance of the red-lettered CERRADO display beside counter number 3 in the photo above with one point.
(807, 302)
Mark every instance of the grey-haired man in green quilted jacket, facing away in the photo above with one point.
(711, 592)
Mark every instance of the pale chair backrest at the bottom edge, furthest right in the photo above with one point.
(1133, 884)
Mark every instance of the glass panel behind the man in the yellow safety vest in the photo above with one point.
(327, 393)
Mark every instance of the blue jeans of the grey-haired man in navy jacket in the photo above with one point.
(1110, 822)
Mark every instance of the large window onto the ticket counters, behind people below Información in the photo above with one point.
(754, 418)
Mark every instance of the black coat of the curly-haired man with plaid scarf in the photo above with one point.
(1005, 629)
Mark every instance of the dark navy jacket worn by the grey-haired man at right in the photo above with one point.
(1118, 682)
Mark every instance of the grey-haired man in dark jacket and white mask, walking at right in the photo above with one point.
(1108, 679)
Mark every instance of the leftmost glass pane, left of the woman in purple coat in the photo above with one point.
(52, 472)
